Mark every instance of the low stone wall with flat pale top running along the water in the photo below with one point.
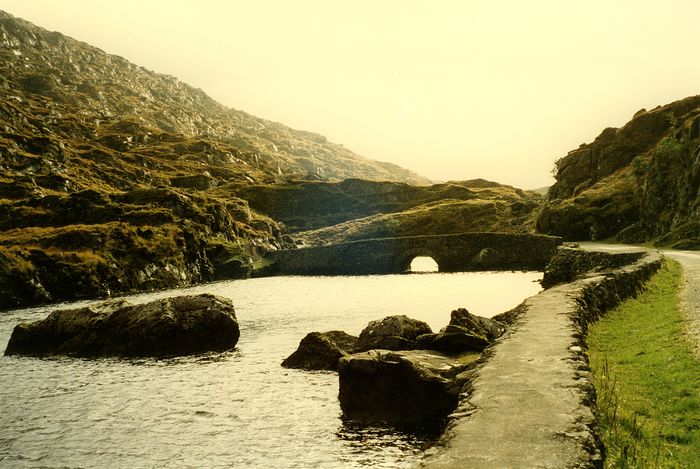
(529, 404)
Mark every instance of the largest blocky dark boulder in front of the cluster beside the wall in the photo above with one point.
(417, 388)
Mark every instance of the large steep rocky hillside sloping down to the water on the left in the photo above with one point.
(107, 173)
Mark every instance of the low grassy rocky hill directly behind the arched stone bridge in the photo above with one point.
(322, 213)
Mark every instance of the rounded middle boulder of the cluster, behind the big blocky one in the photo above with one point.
(392, 333)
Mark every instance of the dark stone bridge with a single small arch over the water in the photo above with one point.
(451, 252)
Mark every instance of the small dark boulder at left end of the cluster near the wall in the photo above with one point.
(321, 351)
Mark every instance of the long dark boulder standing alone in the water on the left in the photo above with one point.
(182, 325)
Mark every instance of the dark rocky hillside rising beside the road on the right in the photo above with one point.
(640, 183)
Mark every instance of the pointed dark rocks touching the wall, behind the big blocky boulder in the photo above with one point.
(465, 332)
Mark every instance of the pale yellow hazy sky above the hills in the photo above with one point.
(450, 89)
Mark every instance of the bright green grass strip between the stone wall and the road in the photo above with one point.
(647, 381)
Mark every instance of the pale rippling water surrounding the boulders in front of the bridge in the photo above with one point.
(232, 409)
